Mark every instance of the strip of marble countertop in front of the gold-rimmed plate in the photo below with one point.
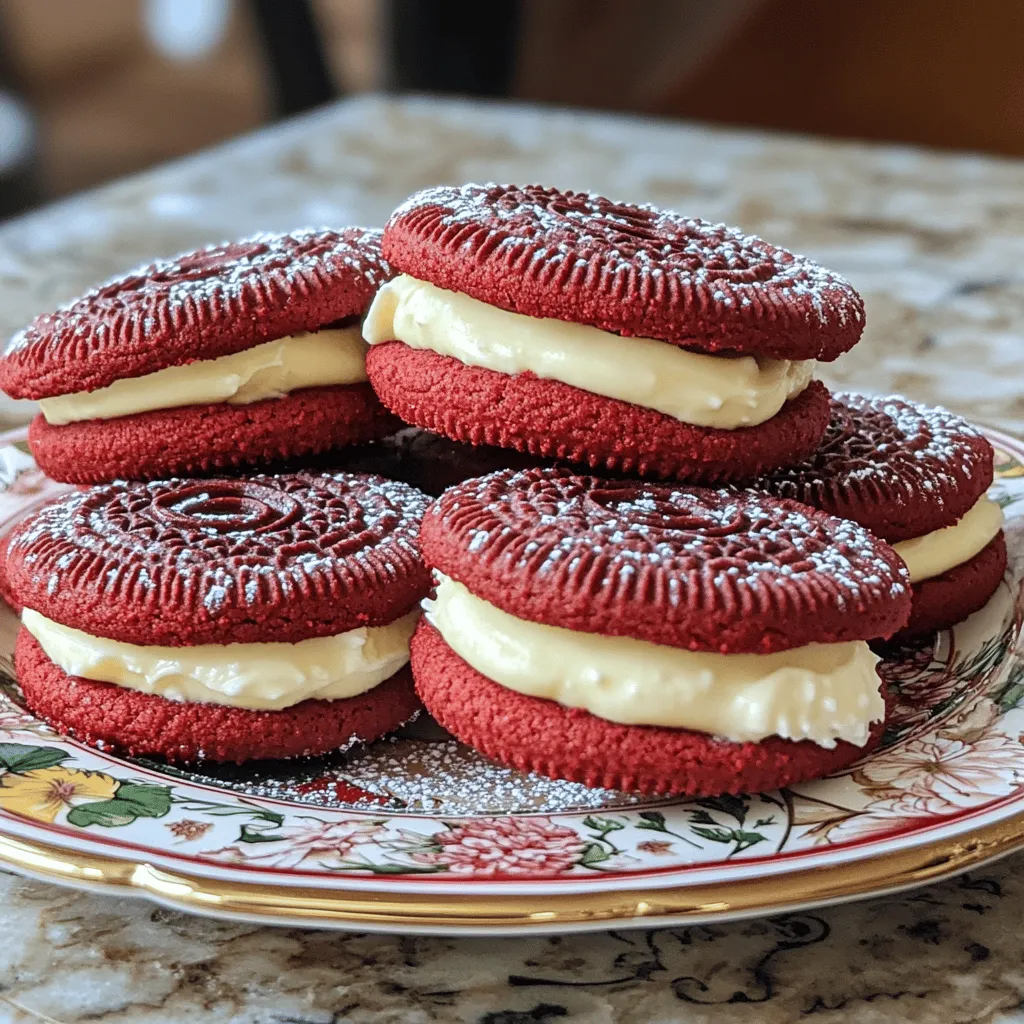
(949, 954)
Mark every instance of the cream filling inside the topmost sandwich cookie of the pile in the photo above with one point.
(703, 391)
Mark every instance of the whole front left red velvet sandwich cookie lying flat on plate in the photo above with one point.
(223, 620)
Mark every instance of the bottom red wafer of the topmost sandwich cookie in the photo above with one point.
(553, 420)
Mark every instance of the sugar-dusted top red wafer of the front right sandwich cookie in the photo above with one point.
(686, 567)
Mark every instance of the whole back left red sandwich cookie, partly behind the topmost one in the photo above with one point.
(232, 356)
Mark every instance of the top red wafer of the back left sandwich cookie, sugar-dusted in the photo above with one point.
(200, 306)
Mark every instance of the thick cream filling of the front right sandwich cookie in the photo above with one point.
(823, 693)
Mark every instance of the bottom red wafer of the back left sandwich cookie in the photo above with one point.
(197, 440)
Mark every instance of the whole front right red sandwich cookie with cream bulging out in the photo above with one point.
(646, 637)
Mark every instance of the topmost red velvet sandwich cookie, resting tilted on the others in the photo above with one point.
(623, 337)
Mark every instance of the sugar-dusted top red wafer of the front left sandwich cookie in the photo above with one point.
(184, 563)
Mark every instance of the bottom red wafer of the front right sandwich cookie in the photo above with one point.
(543, 737)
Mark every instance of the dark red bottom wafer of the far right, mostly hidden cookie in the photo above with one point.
(949, 600)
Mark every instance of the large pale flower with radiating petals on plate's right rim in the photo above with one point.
(945, 772)
